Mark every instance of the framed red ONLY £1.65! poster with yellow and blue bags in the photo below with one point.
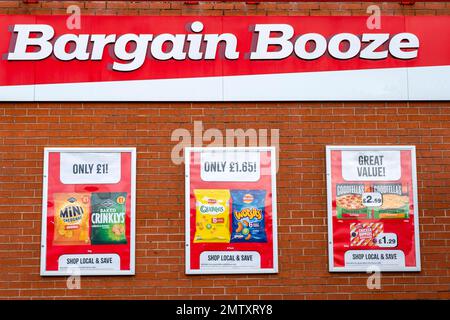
(231, 212)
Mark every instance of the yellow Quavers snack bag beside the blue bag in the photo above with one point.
(212, 216)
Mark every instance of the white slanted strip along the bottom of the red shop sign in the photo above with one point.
(383, 84)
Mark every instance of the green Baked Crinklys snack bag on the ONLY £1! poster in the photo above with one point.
(108, 218)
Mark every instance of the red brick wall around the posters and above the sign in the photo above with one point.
(305, 129)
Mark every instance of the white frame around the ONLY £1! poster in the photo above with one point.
(43, 271)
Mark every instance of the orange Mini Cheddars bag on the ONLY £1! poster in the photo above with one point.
(71, 219)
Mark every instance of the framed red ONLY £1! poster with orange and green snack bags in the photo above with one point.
(88, 211)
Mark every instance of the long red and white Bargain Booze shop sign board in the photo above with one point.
(230, 58)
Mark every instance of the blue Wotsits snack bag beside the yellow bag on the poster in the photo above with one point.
(248, 216)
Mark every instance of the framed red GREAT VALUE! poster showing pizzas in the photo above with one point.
(373, 221)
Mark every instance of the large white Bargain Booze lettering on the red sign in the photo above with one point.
(132, 49)
